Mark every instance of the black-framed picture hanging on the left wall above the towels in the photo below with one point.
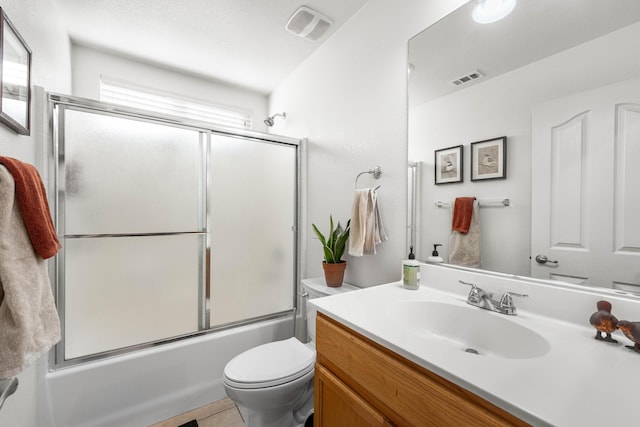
(15, 78)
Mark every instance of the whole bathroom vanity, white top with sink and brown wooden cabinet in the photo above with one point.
(391, 356)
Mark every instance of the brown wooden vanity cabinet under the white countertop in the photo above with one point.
(361, 383)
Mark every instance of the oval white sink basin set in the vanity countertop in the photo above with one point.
(469, 328)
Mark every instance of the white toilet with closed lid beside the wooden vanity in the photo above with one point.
(273, 383)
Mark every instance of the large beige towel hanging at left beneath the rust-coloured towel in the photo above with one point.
(29, 323)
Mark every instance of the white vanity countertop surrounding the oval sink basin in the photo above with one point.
(579, 382)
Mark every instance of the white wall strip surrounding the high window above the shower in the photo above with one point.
(89, 65)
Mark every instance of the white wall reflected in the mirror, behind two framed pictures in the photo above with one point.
(502, 107)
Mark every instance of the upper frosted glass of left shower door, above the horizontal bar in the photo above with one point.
(126, 176)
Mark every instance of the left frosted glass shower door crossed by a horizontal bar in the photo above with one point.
(131, 212)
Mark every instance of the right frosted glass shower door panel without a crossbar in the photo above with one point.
(253, 237)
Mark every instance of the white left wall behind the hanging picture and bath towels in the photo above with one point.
(38, 23)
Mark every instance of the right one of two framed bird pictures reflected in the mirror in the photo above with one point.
(489, 159)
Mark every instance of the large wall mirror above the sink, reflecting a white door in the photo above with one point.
(560, 79)
